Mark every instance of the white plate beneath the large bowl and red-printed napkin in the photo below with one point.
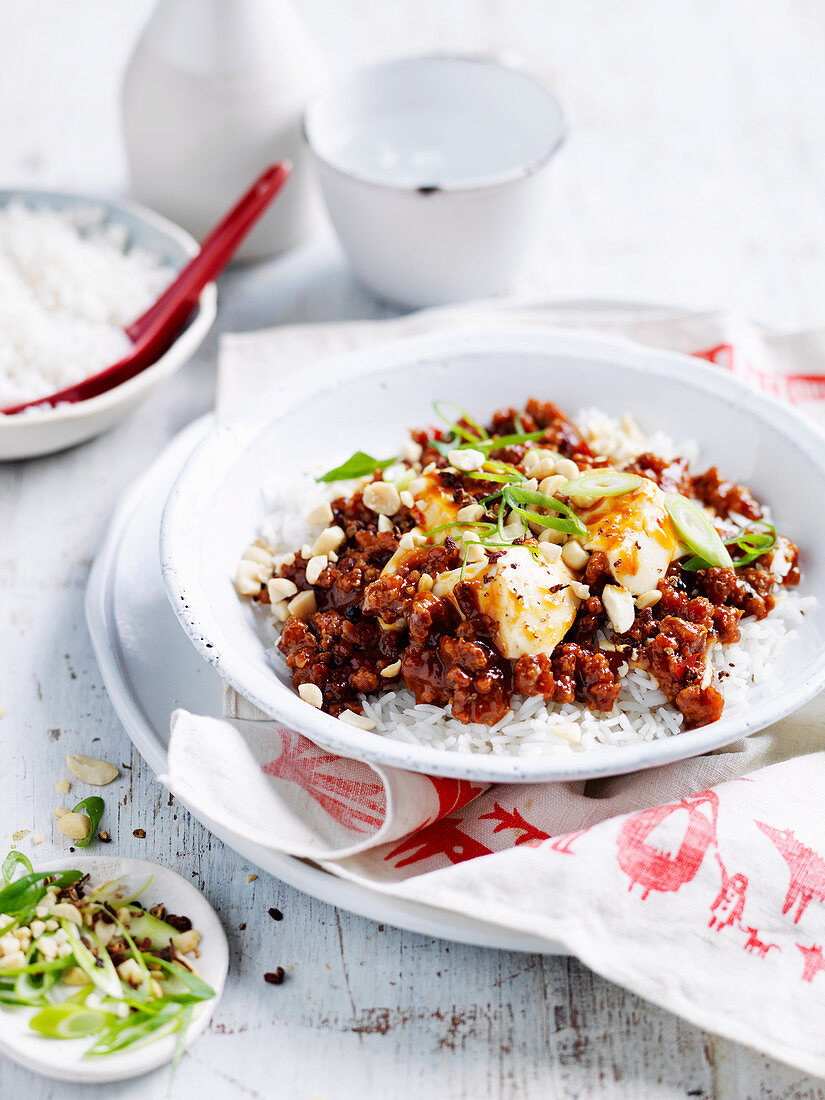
(150, 668)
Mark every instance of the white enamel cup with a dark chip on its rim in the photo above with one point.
(432, 170)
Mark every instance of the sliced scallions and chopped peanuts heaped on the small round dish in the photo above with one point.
(93, 962)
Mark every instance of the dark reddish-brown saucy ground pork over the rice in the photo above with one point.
(445, 650)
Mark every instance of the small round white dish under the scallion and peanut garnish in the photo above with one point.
(63, 1060)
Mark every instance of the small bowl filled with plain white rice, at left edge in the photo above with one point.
(74, 273)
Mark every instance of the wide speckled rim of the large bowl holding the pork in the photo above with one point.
(233, 437)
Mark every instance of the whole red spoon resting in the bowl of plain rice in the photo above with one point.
(156, 331)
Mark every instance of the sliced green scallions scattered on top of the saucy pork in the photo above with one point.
(701, 540)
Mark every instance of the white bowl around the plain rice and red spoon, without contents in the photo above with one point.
(43, 432)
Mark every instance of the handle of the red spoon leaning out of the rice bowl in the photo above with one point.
(216, 251)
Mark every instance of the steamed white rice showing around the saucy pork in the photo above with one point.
(534, 728)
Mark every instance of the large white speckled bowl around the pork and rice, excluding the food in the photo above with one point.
(366, 400)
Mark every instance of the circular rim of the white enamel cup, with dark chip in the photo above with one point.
(435, 188)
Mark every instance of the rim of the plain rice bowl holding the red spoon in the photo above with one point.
(172, 360)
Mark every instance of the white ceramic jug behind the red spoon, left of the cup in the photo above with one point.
(216, 91)
